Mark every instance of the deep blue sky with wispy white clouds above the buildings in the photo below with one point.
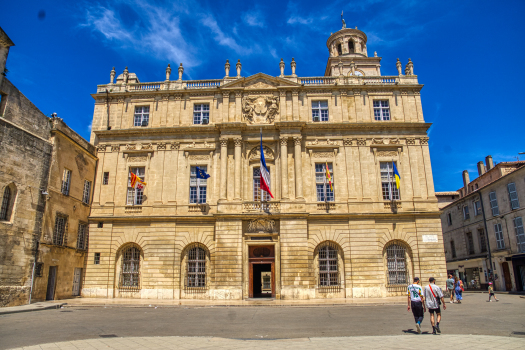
(468, 54)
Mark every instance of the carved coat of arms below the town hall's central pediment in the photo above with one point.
(260, 109)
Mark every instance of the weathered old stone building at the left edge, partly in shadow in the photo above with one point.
(46, 182)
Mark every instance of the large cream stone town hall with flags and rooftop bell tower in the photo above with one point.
(183, 237)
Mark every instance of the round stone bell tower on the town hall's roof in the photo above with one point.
(349, 55)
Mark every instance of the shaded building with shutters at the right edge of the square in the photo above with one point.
(499, 191)
